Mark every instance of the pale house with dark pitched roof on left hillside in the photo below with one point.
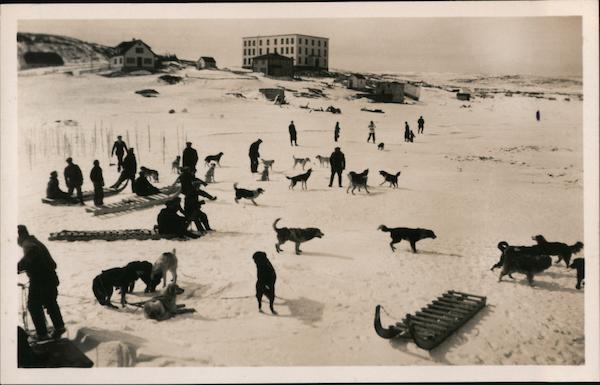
(132, 55)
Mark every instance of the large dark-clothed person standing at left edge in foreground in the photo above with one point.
(43, 282)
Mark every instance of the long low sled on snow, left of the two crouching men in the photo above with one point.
(111, 235)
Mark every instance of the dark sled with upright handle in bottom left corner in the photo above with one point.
(50, 353)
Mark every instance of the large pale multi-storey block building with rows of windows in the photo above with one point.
(310, 52)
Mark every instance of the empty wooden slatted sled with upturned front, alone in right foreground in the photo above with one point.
(430, 326)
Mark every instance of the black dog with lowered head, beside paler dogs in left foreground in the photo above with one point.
(122, 278)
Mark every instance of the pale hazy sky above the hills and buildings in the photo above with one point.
(544, 46)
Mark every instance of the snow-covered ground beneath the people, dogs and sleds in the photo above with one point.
(477, 176)
